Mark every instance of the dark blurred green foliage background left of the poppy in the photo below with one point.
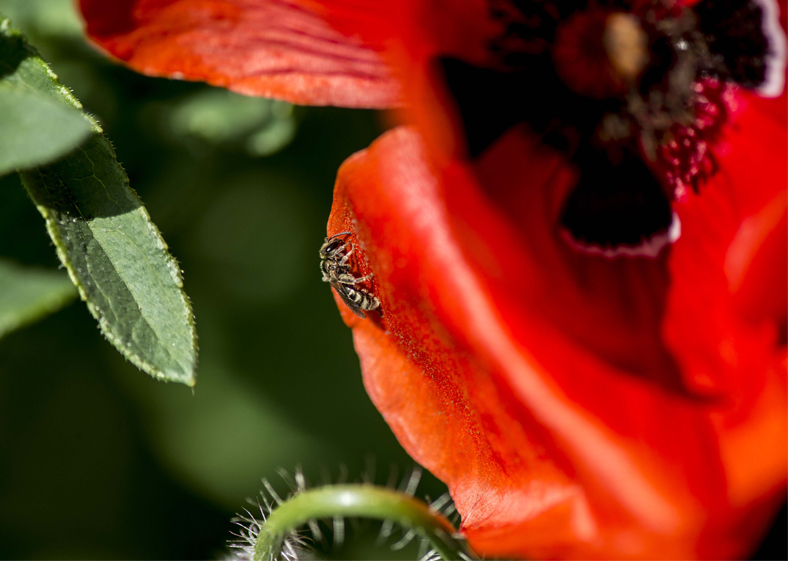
(99, 460)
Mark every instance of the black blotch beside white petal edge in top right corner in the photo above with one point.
(733, 30)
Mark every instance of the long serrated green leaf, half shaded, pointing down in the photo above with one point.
(103, 235)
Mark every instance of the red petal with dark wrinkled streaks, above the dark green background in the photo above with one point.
(271, 48)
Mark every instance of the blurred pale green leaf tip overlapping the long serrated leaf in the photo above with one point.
(36, 130)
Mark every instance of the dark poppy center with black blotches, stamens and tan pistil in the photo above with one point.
(634, 93)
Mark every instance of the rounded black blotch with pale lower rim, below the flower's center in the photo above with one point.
(615, 203)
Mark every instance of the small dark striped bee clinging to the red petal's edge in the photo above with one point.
(335, 266)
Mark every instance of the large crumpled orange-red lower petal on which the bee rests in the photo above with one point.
(548, 449)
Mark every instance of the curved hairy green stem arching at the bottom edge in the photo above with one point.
(359, 500)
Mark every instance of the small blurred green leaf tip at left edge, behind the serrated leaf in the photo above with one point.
(28, 294)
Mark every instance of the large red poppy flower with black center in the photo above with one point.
(579, 246)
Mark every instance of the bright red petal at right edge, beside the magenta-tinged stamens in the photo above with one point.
(729, 268)
